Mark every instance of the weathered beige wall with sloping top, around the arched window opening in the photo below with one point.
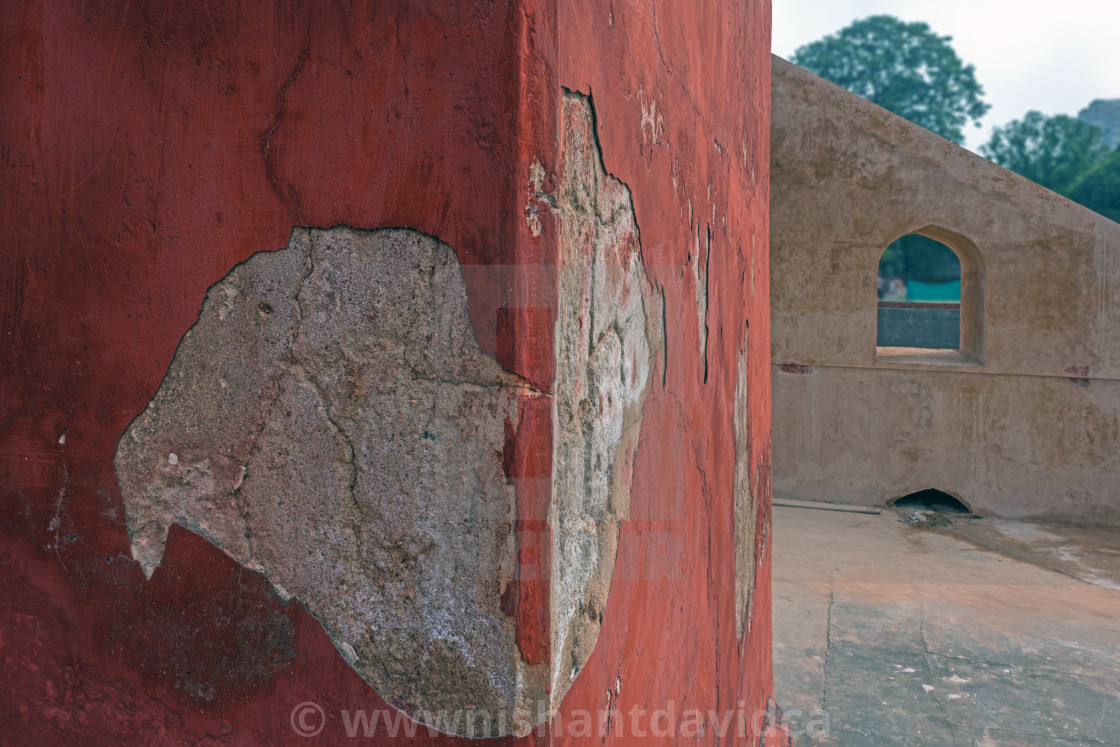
(1025, 421)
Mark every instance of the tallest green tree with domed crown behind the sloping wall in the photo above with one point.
(904, 68)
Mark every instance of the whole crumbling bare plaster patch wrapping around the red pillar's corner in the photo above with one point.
(332, 423)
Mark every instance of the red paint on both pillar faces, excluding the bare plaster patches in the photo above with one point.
(147, 148)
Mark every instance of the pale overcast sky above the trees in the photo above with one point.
(1056, 57)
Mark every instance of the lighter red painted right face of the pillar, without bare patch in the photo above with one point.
(683, 101)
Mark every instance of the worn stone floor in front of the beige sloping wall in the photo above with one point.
(891, 634)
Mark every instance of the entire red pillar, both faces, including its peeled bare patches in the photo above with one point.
(155, 150)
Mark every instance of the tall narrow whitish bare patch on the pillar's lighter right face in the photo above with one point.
(604, 335)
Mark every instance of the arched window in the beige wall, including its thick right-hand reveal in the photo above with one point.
(931, 297)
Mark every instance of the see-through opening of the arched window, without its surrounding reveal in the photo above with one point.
(920, 295)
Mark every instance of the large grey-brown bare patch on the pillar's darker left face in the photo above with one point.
(331, 422)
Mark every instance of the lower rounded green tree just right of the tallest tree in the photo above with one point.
(1054, 152)
